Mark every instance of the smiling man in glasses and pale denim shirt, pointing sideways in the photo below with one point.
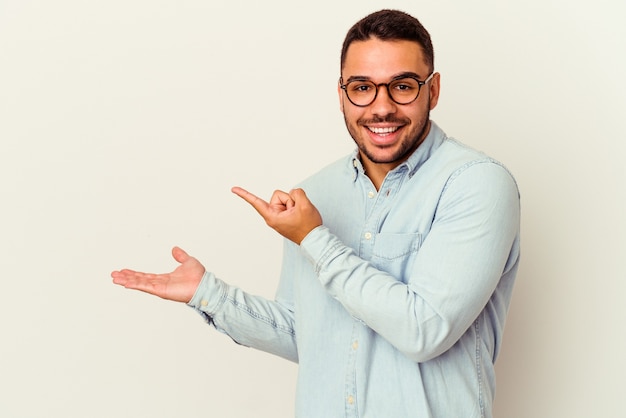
(399, 261)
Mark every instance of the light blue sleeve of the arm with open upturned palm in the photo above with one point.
(249, 320)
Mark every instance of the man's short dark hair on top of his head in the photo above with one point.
(390, 25)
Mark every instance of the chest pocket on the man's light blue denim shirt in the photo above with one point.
(394, 253)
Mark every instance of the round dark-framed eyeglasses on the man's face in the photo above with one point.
(402, 90)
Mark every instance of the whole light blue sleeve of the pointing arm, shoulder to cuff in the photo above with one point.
(472, 244)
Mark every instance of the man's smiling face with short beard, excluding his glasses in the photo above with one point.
(385, 132)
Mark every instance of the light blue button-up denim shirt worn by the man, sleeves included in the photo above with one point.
(395, 307)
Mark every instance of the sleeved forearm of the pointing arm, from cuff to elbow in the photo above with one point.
(383, 302)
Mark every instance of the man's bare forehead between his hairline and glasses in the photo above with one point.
(378, 59)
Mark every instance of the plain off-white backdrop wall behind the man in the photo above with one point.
(123, 125)
